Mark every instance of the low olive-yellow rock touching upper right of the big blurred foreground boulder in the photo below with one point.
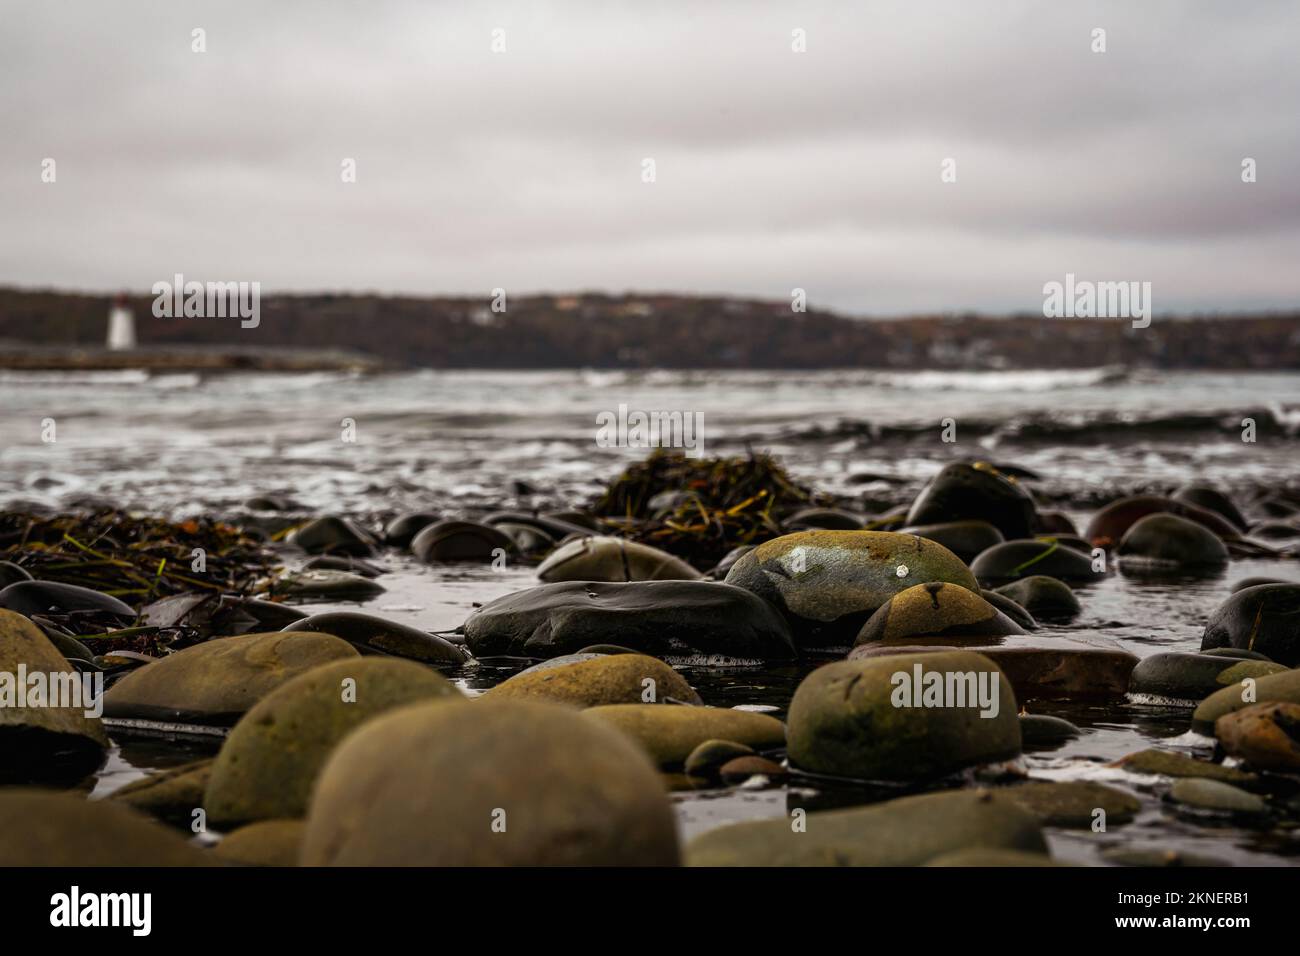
(670, 734)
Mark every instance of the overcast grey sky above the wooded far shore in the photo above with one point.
(775, 170)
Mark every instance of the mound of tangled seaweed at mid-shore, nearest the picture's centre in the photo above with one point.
(700, 509)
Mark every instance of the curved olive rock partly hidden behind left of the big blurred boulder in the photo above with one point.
(271, 760)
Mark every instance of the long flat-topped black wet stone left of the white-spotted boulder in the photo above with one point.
(666, 620)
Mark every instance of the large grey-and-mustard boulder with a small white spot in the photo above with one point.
(827, 583)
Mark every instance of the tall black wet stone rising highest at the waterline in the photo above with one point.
(976, 492)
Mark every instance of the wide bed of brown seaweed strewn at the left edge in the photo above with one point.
(137, 560)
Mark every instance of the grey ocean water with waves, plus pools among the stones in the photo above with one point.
(465, 442)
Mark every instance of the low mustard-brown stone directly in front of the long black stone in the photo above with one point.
(597, 681)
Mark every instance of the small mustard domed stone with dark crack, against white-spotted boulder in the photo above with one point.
(937, 611)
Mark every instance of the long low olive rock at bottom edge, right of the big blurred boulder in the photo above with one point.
(909, 832)
